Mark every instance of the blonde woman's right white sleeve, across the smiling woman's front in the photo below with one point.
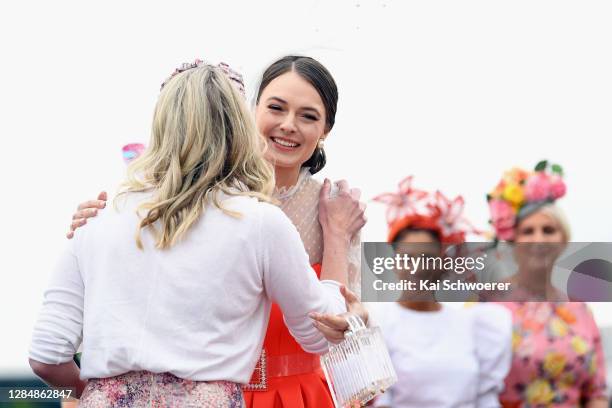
(290, 281)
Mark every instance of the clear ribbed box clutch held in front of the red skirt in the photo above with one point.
(359, 368)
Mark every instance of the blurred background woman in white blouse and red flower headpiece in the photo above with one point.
(444, 356)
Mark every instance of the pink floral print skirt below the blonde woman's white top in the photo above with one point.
(145, 389)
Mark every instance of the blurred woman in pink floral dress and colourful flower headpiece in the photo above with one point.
(557, 353)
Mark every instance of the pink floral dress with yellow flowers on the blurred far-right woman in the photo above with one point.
(557, 356)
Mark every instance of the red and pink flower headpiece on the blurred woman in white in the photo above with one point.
(409, 207)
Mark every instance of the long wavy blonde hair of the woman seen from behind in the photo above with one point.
(203, 142)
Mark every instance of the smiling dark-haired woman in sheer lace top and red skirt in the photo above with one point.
(295, 111)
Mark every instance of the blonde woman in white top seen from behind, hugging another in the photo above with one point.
(170, 293)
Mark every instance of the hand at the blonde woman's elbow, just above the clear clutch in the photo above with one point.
(334, 326)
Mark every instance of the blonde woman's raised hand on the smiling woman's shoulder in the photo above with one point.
(342, 215)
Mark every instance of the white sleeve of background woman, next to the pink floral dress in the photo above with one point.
(493, 332)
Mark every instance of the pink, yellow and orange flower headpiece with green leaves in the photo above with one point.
(520, 193)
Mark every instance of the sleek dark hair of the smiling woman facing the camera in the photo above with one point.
(319, 77)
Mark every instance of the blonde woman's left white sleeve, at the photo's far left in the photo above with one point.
(59, 329)
